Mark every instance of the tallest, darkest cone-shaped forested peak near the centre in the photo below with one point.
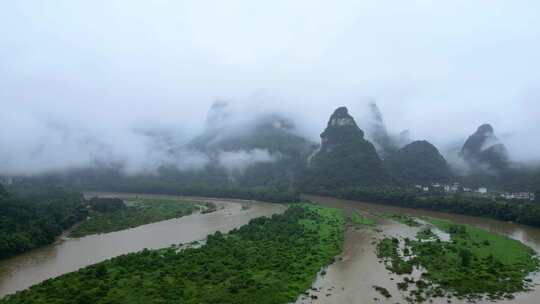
(345, 158)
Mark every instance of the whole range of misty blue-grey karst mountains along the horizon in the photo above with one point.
(267, 150)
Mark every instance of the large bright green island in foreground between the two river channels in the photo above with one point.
(270, 260)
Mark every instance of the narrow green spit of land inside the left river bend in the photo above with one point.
(113, 214)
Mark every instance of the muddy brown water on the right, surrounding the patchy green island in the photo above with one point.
(352, 277)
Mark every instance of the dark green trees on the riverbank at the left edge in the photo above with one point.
(33, 217)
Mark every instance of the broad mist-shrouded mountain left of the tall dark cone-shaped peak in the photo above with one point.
(262, 150)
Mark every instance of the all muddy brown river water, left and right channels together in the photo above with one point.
(349, 280)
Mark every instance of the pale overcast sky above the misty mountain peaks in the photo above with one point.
(75, 72)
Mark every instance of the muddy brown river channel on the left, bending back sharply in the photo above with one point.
(67, 255)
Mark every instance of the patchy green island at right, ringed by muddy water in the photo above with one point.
(474, 264)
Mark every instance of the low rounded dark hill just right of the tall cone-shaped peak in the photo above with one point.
(419, 162)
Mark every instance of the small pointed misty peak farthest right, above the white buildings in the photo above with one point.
(482, 150)
